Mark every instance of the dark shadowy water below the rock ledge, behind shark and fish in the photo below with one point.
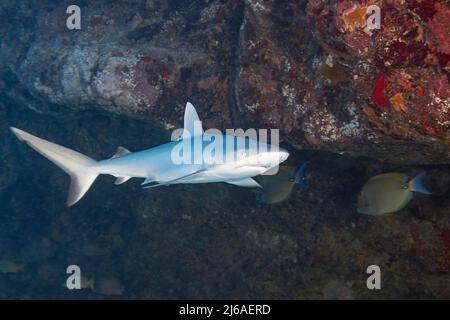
(202, 241)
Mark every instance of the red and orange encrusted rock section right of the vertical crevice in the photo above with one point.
(297, 81)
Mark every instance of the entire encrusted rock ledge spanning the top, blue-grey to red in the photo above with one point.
(310, 68)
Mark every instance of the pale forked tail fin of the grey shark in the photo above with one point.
(74, 163)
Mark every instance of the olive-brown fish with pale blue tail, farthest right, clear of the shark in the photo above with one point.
(389, 192)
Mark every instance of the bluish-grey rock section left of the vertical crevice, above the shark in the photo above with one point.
(134, 60)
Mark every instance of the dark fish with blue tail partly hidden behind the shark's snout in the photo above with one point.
(277, 188)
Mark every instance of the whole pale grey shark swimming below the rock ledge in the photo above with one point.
(161, 166)
